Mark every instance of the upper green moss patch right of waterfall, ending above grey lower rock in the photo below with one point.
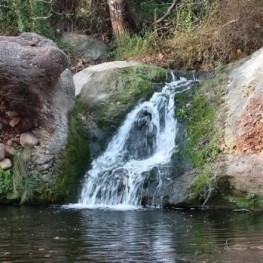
(198, 110)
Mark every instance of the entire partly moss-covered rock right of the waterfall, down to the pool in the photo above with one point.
(233, 176)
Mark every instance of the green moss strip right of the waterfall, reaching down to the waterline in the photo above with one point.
(198, 111)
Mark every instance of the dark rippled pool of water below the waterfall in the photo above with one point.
(33, 234)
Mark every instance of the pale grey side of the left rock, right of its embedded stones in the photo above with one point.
(54, 132)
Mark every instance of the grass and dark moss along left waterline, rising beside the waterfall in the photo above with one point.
(22, 185)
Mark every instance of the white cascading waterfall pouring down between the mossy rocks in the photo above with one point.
(144, 143)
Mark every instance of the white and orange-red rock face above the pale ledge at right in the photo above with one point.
(244, 99)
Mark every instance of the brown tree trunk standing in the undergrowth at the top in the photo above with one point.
(118, 16)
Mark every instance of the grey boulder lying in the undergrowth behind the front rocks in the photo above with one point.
(88, 47)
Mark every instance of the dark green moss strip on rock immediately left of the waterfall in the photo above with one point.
(62, 183)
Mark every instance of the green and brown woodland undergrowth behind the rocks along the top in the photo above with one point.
(196, 34)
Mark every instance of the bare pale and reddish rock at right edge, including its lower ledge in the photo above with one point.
(244, 127)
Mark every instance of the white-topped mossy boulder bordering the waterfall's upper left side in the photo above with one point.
(110, 90)
